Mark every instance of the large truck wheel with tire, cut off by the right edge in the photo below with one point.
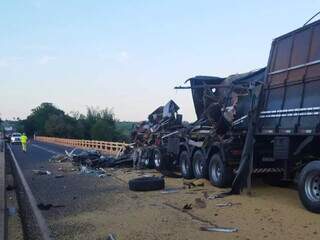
(309, 186)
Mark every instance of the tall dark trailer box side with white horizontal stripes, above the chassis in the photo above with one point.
(291, 101)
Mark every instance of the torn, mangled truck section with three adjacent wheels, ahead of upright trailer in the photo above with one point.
(213, 144)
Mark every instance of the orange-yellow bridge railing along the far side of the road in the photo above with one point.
(111, 148)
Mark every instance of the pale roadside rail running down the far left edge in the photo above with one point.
(3, 207)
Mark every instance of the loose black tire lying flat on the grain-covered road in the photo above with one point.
(146, 184)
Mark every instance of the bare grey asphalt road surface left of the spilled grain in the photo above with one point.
(74, 192)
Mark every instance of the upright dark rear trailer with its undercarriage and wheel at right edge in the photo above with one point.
(288, 127)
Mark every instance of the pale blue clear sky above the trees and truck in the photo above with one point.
(128, 55)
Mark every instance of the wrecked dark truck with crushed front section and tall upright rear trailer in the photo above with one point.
(276, 127)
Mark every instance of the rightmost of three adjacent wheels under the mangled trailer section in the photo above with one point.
(220, 175)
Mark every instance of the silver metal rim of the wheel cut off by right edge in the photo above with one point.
(312, 186)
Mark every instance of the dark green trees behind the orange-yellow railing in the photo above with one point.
(48, 120)
